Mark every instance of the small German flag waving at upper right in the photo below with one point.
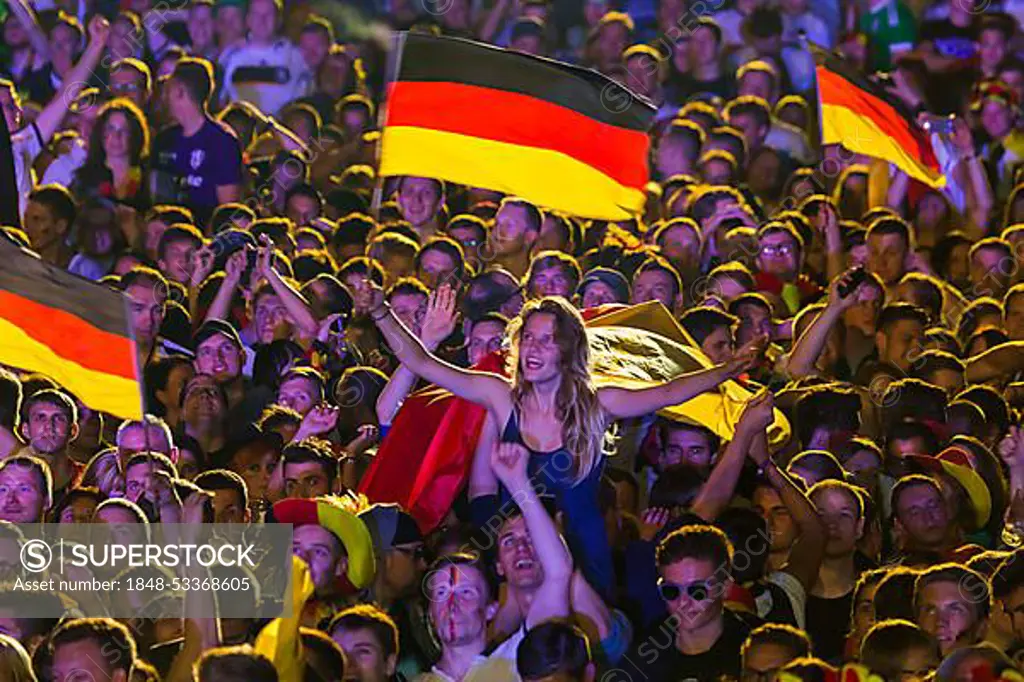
(864, 118)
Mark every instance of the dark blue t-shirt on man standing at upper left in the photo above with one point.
(191, 169)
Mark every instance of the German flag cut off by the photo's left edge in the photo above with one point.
(70, 329)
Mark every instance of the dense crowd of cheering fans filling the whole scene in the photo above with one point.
(216, 161)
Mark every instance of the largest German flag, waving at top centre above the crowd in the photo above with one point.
(561, 137)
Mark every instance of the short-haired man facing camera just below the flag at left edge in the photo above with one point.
(50, 424)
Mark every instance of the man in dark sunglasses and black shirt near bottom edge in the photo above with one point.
(701, 640)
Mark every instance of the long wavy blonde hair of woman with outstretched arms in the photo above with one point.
(584, 421)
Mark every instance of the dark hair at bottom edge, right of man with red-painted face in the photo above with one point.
(553, 648)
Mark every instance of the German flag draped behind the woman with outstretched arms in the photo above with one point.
(424, 460)
